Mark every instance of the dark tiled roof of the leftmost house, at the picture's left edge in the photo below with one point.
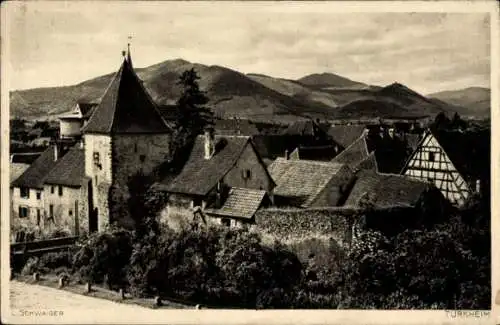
(34, 176)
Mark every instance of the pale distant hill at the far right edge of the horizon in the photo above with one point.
(472, 101)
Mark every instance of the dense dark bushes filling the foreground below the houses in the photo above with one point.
(443, 266)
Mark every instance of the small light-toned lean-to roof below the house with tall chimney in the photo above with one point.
(241, 203)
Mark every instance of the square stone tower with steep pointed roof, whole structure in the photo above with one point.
(125, 136)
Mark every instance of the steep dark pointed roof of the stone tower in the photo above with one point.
(126, 107)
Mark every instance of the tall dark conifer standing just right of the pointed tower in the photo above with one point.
(192, 116)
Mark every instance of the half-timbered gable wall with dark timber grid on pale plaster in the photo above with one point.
(440, 171)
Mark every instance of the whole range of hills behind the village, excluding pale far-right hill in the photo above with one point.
(254, 96)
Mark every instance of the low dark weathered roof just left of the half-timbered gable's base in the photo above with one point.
(386, 190)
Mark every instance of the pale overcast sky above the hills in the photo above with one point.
(66, 43)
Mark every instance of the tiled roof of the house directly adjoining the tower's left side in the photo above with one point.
(69, 170)
